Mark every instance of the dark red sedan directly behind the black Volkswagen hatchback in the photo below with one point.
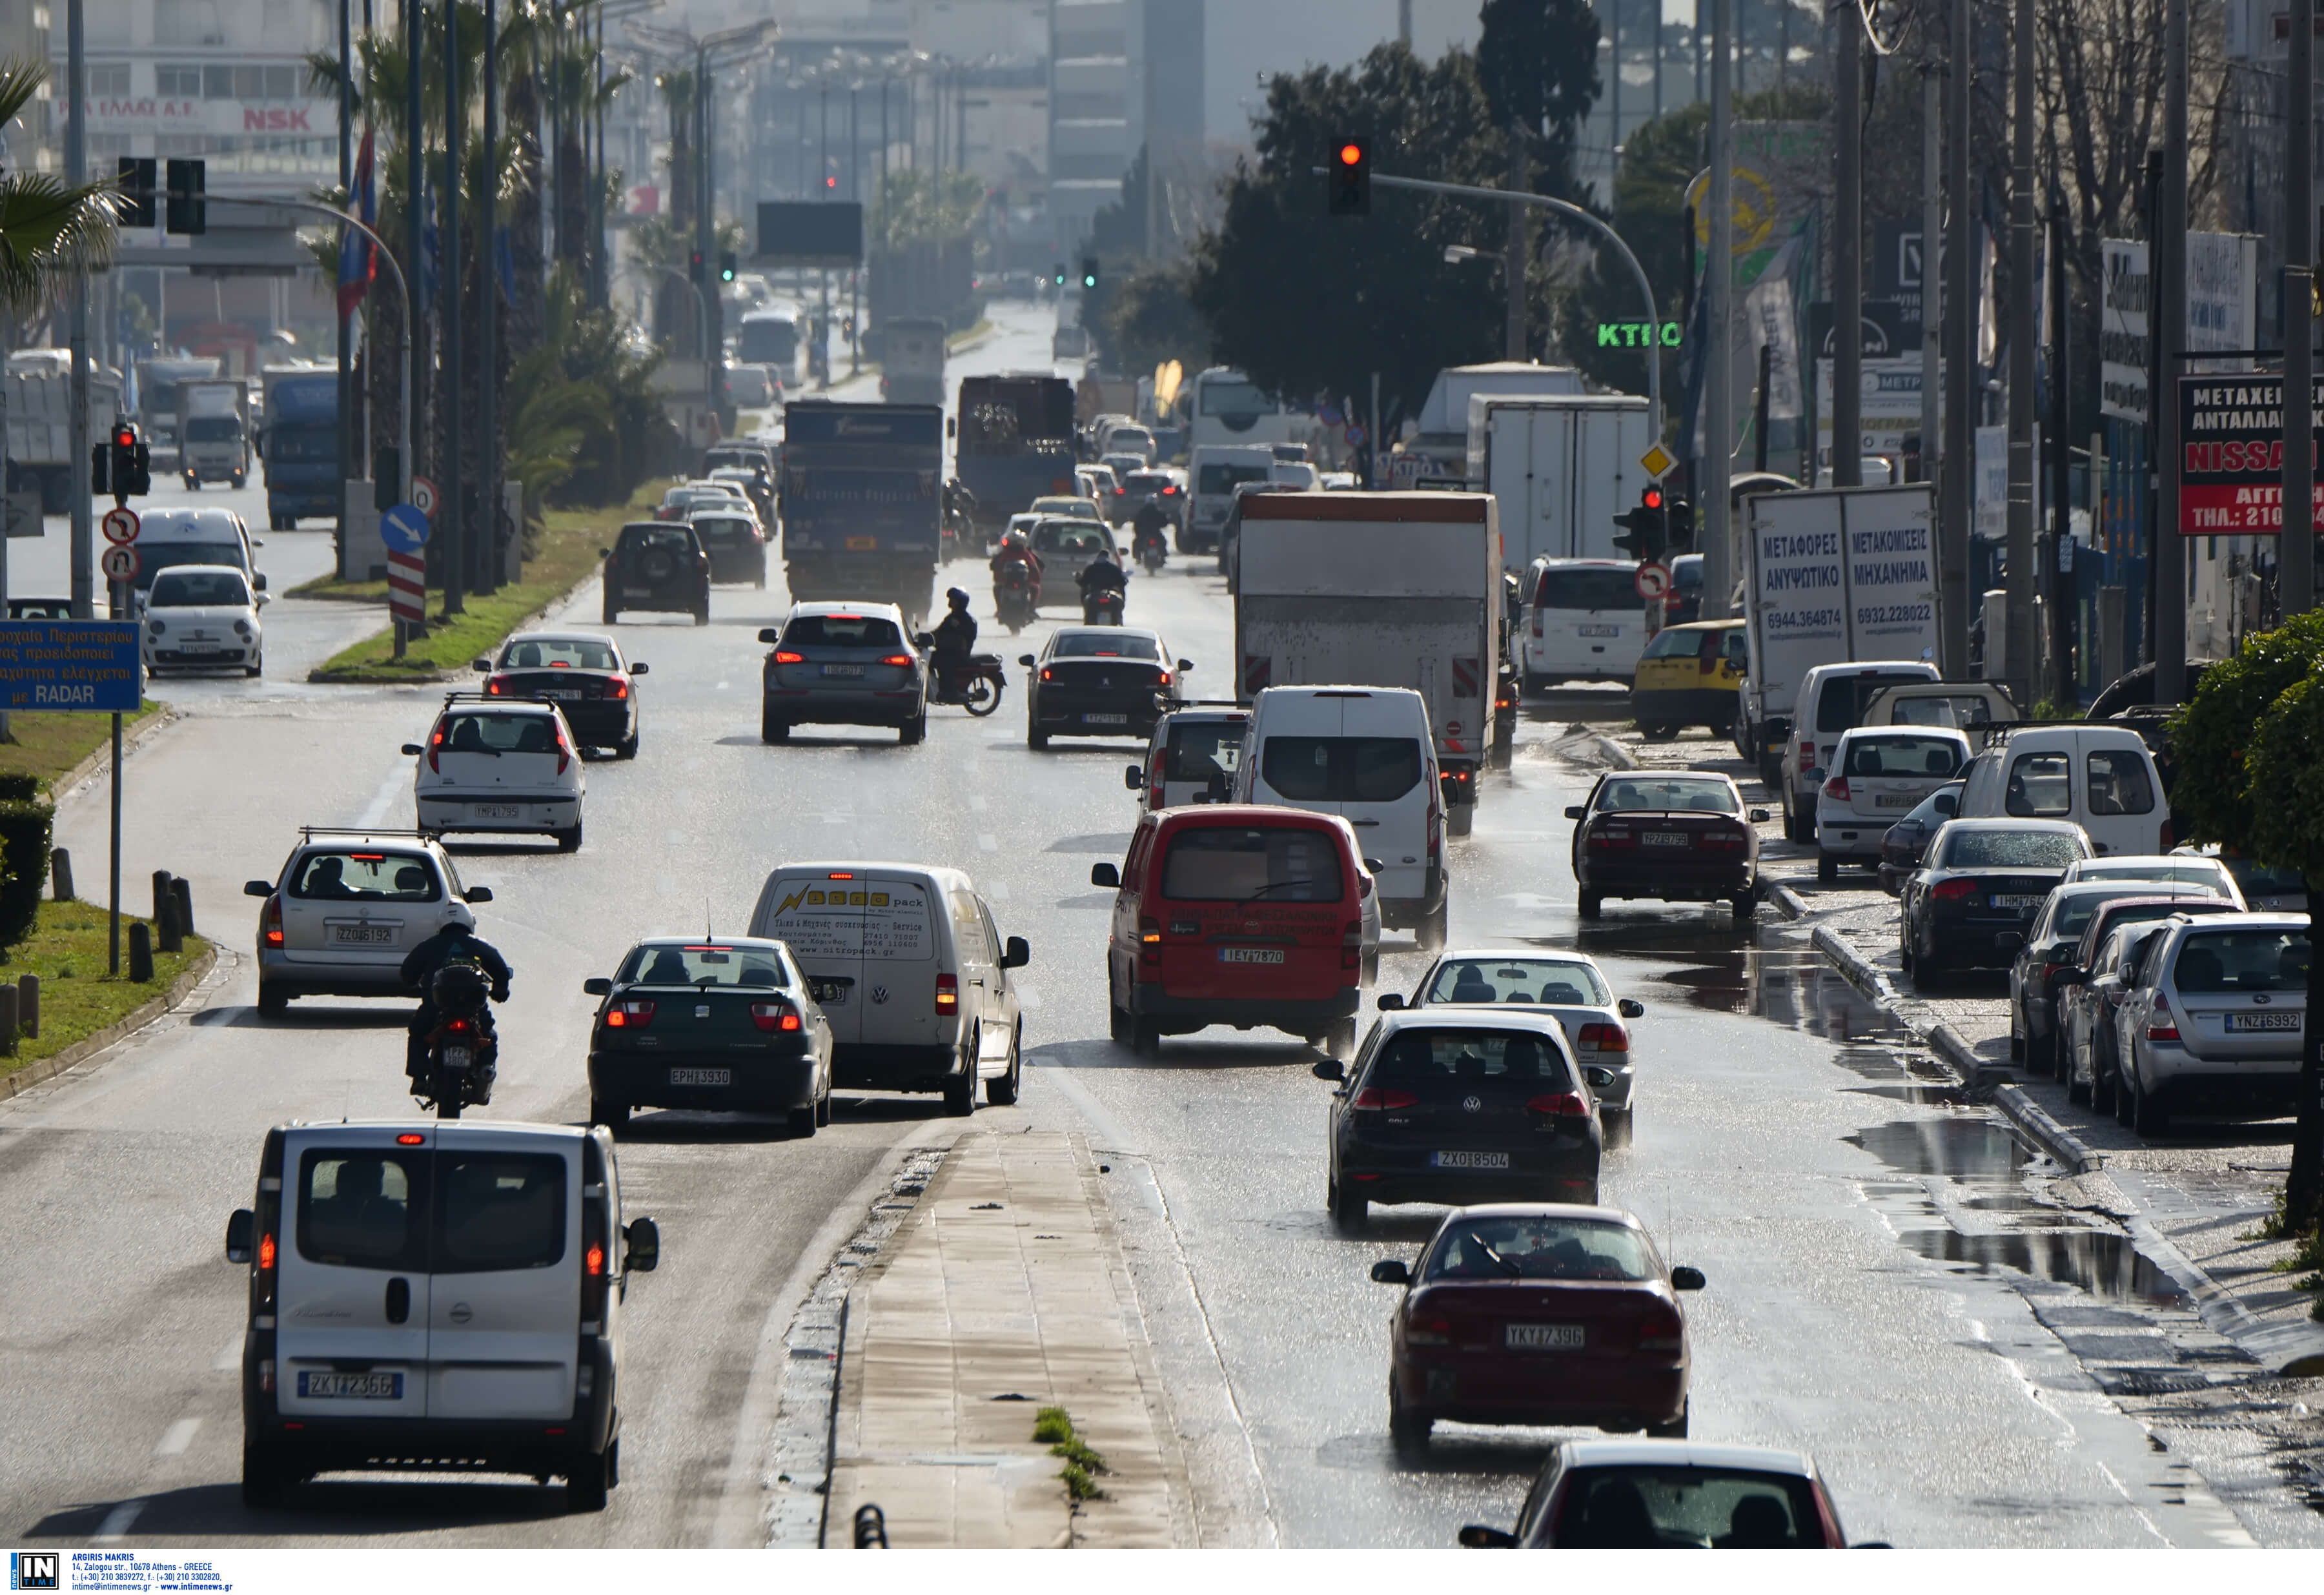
(1540, 1313)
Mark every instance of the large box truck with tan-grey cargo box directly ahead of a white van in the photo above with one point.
(1379, 589)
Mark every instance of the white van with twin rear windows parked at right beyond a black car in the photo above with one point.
(2100, 778)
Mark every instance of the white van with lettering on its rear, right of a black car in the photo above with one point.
(912, 973)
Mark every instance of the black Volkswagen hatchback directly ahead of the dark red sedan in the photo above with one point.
(1461, 1108)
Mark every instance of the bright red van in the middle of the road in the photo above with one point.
(1240, 915)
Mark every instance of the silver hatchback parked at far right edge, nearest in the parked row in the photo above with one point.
(2214, 1013)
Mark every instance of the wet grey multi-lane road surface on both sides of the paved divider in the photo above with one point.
(1853, 1220)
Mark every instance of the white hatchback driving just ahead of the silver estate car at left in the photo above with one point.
(498, 766)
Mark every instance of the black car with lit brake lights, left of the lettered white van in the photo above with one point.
(724, 1024)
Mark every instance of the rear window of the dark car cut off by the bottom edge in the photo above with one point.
(1642, 1508)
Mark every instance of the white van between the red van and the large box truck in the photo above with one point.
(1365, 754)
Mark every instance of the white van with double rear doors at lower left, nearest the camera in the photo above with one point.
(436, 1296)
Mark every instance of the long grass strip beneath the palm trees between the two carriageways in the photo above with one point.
(564, 557)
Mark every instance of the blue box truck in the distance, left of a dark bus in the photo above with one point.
(861, 501)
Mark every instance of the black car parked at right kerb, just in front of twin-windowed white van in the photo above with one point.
(1974, 901)
